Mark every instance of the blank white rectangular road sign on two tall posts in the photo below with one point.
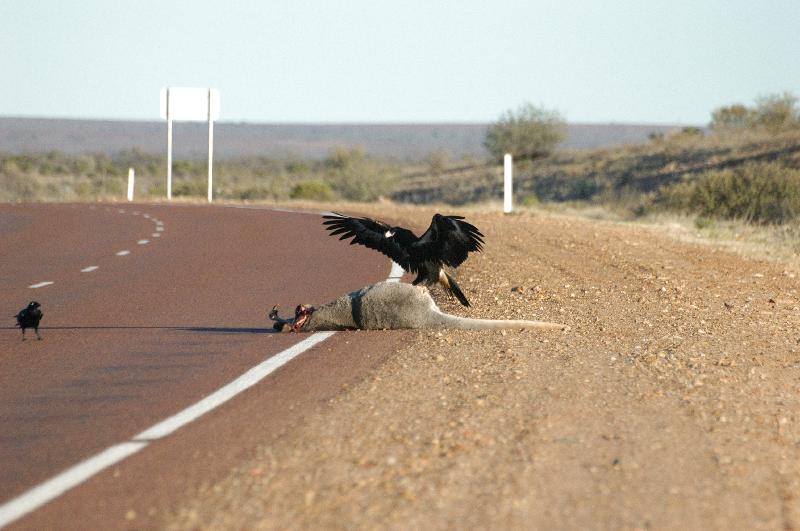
(191, 105)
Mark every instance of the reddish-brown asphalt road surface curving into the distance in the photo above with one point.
(131, 338)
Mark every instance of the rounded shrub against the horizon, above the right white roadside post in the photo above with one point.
(530, 132)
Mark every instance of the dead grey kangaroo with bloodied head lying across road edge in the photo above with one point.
(389, 306)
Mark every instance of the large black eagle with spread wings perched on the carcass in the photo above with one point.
(446, 243)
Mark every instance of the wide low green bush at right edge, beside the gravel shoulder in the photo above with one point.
(759, 192)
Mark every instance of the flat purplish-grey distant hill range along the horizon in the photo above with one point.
(232, 140)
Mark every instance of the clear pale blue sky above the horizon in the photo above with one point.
(398, 61)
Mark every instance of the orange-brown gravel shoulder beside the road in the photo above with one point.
(671, 402)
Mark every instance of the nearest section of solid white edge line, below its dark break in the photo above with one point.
(52, 488)
